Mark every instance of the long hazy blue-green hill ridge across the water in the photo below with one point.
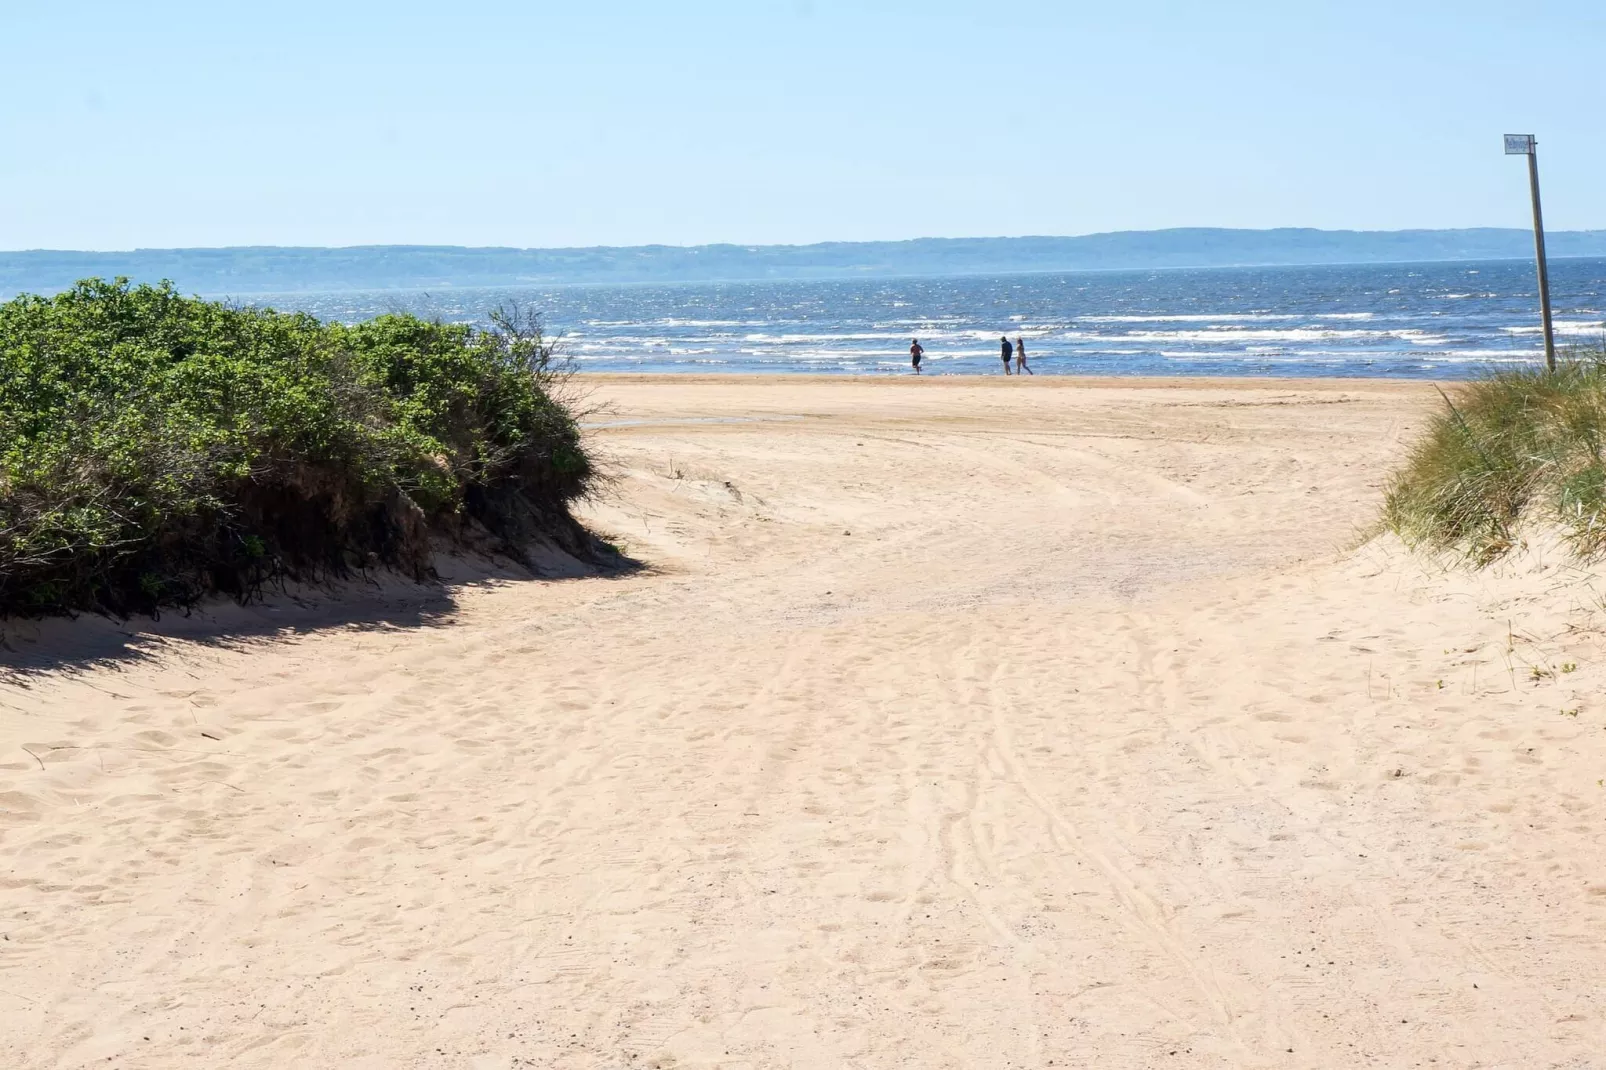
(274, 269)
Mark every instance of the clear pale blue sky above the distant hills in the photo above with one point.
(783, 121)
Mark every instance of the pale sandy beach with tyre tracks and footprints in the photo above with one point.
(950, 724)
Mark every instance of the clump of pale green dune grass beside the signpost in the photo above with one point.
(1517, 446)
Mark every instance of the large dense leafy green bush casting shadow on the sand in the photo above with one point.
(157, 449)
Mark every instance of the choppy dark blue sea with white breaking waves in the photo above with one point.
(1440, 321)
